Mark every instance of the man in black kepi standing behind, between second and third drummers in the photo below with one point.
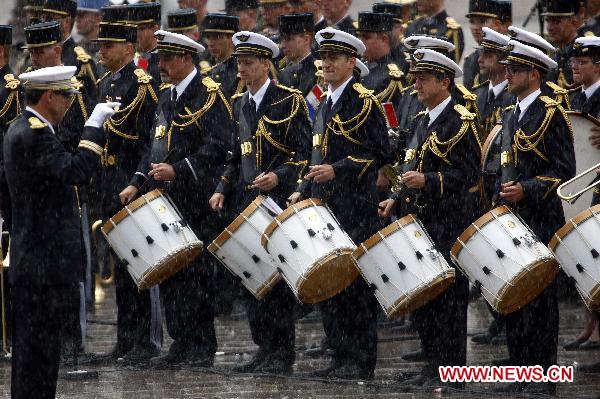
(301, 68)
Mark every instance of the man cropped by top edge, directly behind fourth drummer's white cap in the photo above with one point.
(434, 20)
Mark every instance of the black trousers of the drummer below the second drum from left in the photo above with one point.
(272, 321)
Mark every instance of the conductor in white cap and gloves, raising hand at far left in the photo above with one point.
(45, 255)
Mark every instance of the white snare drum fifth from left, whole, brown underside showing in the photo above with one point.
(502, 256)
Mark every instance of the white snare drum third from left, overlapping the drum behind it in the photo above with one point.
(311, 250)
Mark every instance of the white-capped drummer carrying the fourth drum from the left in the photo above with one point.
(441, 172)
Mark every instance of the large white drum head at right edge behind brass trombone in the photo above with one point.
(586, 156)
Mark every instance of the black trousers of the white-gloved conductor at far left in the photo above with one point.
(38, 313)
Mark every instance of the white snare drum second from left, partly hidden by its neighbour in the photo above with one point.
(239, 250)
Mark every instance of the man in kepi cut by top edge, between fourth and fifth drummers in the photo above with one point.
(493, 14)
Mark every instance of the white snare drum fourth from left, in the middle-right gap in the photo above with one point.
(402, 266)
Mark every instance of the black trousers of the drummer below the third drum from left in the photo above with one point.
(350, 322)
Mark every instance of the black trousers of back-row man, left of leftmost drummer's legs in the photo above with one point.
(134, 314)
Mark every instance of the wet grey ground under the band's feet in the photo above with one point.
(235, 346)
